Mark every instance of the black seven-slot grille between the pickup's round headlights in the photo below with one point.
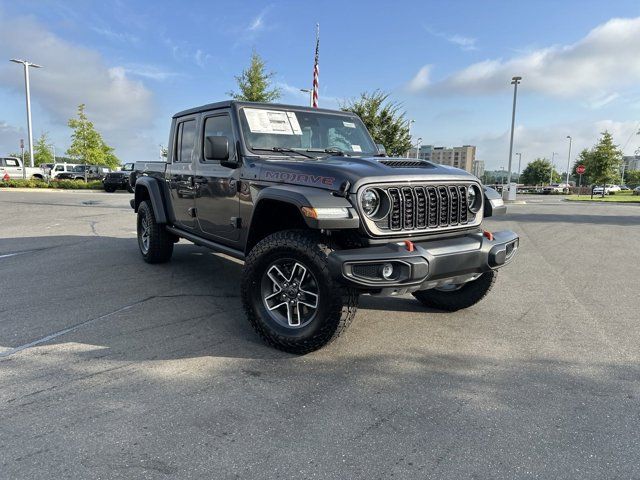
(425, 207)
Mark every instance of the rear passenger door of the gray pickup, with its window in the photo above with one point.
(181, 171)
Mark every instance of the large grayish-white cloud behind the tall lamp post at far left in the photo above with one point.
(72, 74)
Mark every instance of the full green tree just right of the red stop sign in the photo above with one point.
(602, 162)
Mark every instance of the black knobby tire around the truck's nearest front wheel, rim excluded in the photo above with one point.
(337, 304)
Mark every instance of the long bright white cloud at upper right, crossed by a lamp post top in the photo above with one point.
(604, 60)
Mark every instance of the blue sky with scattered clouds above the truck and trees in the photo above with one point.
(134, 64)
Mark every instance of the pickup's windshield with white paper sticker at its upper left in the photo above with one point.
(305, 131)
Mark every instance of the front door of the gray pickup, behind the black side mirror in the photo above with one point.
(217, 200)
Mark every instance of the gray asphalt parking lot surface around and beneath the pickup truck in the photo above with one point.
(112, 368)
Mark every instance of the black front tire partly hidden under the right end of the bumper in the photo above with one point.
(468, 295)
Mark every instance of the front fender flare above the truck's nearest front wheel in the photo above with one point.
(300, 196)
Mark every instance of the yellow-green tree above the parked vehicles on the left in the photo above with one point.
(87, 145)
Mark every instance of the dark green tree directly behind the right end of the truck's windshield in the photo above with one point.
(384, 119)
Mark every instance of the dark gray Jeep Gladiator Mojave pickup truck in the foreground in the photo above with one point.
(319, 215)
